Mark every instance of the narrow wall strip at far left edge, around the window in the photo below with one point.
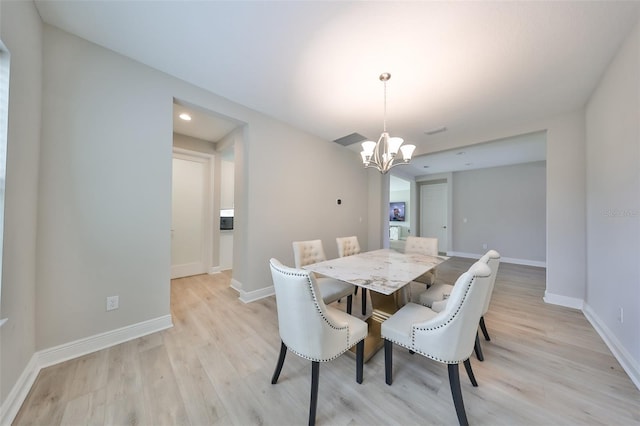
(21, 32)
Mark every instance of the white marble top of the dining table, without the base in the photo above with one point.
(383, 271)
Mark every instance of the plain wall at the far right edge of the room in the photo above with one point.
(613, 204)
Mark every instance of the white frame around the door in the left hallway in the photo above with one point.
(209, 224)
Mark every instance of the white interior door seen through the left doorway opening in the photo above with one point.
(189, 206)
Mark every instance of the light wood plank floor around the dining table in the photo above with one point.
(544, 365)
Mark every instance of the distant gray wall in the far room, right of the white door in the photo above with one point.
(505, 208)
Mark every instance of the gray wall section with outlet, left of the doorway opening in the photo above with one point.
(104, 197)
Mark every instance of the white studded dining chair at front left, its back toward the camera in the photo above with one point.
(311, 329)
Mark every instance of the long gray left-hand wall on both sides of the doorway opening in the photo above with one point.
(106, 199)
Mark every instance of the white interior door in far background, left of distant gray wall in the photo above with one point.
(434, 213)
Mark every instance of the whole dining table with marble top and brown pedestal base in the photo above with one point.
(386, 273)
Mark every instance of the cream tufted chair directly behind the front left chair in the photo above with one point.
(332, 290)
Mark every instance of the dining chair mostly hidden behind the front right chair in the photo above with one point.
(436, 296)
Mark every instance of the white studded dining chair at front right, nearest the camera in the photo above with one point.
(446, 337)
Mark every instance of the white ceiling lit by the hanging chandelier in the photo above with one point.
(315, 64)
